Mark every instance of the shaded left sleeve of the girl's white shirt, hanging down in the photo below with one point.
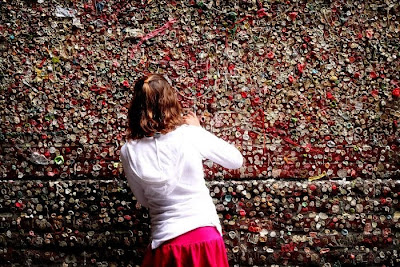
(131, 177)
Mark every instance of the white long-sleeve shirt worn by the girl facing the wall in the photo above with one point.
(166, 175)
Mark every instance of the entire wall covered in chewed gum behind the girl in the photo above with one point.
(307, 90)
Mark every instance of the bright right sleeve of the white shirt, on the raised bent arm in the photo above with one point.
(216, 149)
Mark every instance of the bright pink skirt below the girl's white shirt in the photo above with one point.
(201, 247)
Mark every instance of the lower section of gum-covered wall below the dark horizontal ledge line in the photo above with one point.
(265, 222)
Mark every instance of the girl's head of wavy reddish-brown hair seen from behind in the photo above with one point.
(154, 107)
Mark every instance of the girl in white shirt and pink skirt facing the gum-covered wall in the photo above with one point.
(162, 161)
